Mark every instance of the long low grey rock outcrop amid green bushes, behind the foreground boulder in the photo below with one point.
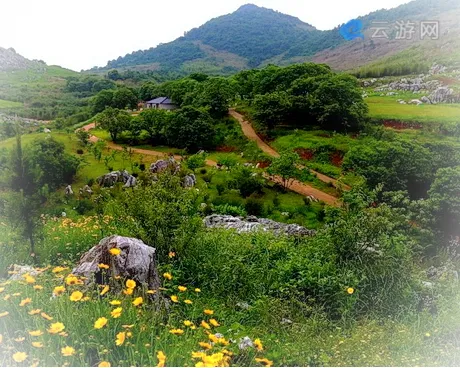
(252, 223)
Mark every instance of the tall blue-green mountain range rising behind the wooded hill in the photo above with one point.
(253, 36)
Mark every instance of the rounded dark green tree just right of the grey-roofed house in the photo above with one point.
(190, 128)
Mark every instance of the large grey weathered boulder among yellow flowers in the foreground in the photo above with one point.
(136, 261)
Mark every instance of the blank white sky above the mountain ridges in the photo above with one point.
(85, 33)
